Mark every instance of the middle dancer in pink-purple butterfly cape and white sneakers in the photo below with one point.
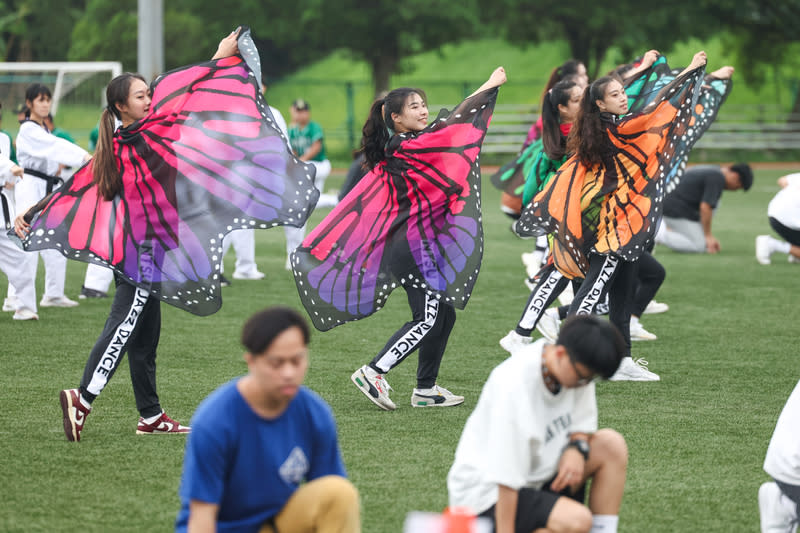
(413, 220)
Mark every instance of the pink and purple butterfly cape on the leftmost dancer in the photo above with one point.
(207, 160)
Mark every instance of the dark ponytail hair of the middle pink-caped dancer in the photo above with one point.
(374, 133)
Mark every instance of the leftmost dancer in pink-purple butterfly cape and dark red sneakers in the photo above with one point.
(183, 145)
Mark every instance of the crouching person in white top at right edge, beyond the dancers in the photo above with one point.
(784, 217)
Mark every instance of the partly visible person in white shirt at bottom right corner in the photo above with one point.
(779, 499)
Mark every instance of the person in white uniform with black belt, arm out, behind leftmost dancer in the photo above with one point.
(40, 153)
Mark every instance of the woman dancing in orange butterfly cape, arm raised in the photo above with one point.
(603, 205)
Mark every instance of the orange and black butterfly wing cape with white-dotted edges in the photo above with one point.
(614, 207)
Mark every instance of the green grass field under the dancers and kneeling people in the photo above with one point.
(726, 353)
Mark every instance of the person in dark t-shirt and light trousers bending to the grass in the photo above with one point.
(688, 210)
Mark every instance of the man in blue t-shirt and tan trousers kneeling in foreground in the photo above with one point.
(263, 451)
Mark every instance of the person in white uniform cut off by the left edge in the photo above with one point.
(11, 257)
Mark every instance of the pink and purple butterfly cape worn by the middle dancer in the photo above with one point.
(414, 220)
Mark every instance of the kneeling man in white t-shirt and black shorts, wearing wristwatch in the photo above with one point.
(532, 441)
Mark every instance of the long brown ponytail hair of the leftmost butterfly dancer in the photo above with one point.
(105, 169)
